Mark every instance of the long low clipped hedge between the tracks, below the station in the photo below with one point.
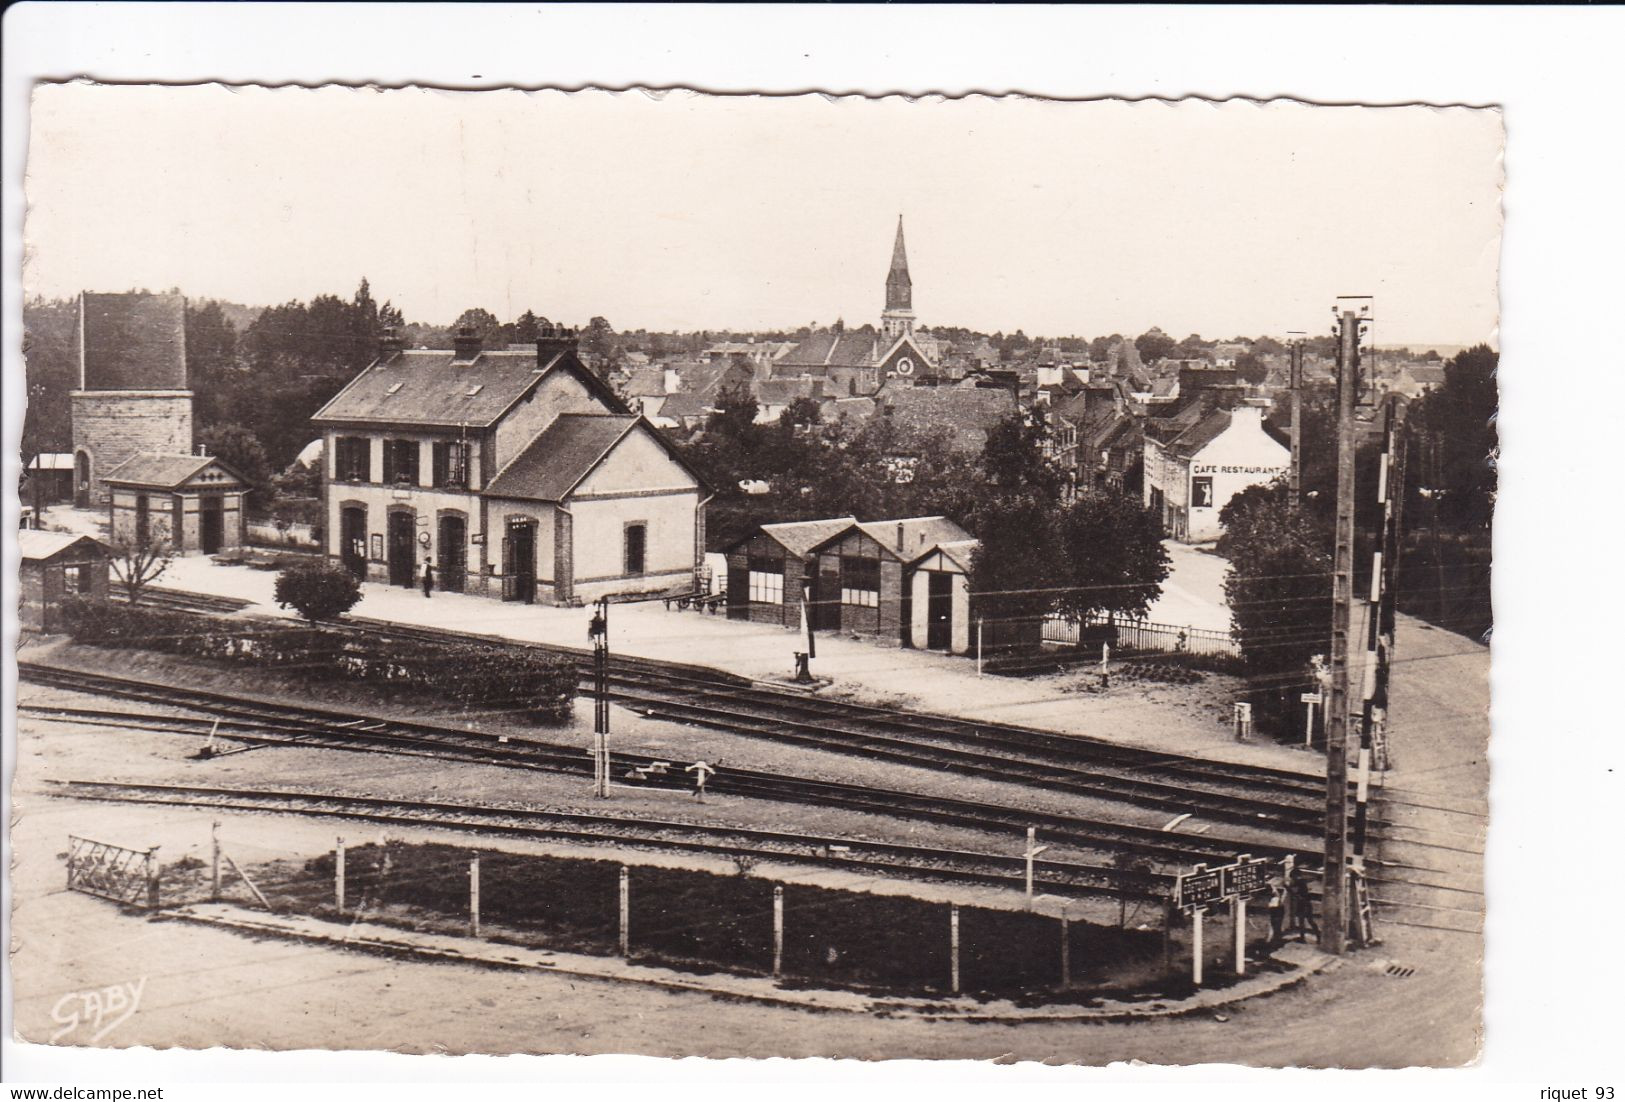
(522, 680)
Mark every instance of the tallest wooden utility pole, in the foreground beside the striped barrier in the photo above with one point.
(1335, 901)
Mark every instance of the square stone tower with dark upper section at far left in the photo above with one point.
(132, 391)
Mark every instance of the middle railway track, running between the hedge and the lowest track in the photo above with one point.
(266, 722)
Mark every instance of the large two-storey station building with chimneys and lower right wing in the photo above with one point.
(511, 472)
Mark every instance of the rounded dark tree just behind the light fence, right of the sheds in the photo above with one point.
(1112, 557)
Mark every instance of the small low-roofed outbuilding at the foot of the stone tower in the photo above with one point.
(193, 503)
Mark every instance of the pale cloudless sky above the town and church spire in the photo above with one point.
(688, 212)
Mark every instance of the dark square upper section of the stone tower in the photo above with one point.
(134, 342)
